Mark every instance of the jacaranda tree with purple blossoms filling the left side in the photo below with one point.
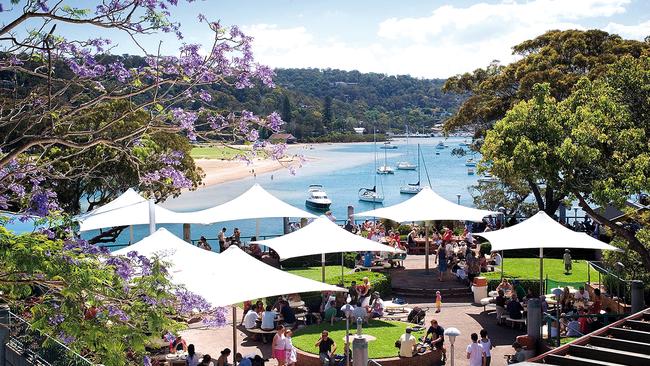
(55, 87)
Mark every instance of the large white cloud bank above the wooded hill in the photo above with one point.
(450, 41)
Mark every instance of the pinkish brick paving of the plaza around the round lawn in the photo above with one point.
(459, 313)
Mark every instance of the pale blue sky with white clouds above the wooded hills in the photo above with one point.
(420, 38)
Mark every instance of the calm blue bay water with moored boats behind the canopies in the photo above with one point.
(342, 169)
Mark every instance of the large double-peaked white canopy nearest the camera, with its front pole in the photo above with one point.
(221, 278)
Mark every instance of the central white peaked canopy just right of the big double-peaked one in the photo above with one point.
(320, 237)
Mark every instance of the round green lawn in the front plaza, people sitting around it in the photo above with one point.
(386, 332)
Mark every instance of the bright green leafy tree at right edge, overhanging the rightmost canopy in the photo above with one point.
(593, 145)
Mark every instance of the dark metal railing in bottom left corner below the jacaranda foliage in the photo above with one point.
(37, 347)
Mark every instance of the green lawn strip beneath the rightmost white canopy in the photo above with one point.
(528, 268)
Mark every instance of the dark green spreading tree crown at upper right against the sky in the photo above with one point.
(559, 58)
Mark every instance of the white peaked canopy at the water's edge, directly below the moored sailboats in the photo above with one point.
(428, 205)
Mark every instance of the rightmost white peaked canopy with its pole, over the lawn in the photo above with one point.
(541, 231)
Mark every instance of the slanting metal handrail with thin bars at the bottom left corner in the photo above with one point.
(15, 321)
